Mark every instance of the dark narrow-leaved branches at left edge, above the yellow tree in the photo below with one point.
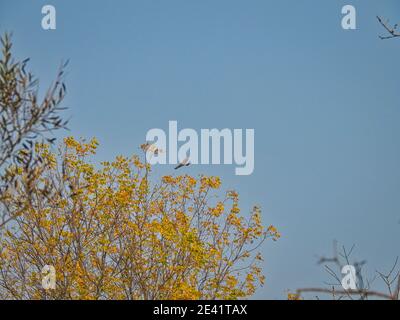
(24, 119)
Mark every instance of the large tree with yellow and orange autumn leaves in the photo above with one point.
(111, 233)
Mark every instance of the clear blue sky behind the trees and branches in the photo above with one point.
(324, 104)
